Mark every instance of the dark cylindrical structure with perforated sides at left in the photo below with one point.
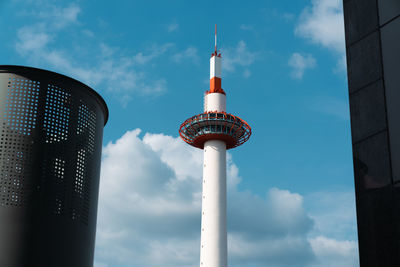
(51, 129)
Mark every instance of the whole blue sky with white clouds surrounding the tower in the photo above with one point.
(291, 191)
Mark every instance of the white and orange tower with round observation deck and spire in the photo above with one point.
(214, 131)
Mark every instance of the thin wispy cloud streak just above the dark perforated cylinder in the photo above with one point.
(117, 74)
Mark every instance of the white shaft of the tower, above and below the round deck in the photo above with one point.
(213, 252)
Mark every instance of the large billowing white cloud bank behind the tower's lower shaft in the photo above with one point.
(150, 203)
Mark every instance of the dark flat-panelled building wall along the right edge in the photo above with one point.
(373, 60)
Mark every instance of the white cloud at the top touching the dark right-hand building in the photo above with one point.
(322, 23)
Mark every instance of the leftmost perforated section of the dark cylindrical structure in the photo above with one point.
(18, 120)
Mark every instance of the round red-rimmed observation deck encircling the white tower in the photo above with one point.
(215, 126)
